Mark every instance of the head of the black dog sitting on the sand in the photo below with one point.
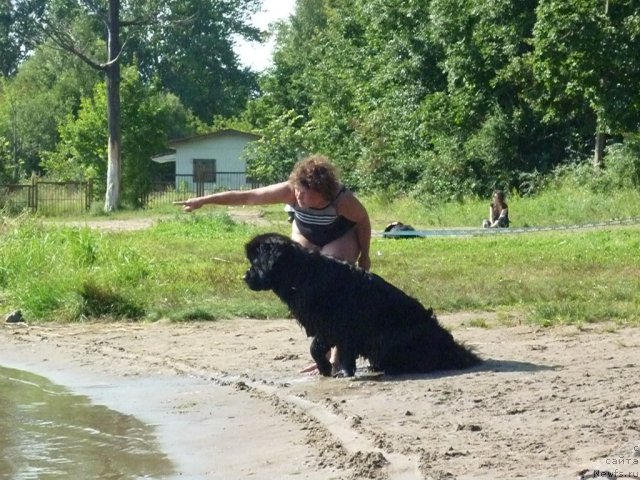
(265, 253)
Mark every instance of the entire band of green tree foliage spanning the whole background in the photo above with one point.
(440, 98)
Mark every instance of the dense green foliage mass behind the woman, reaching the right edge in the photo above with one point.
(448, 97)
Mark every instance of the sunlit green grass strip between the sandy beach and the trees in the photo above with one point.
(190, 266)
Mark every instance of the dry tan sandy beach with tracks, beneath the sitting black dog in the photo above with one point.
(547, 403)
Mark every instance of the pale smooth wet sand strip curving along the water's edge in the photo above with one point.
(195, 419)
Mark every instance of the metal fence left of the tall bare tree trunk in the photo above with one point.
(49, 198)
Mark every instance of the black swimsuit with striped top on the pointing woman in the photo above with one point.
(322, 226)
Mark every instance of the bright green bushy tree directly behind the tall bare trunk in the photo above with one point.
(149, 117)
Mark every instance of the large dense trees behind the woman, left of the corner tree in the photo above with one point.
(401, 92)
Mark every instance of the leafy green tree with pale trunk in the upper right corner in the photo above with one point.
(587, 53)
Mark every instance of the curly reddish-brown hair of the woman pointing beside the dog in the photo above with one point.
(316, 173)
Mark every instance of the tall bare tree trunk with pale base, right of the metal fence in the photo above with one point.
(114, 160)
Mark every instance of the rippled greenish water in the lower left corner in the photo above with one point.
(48, 432)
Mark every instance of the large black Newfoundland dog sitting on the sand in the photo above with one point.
(357, 311)
